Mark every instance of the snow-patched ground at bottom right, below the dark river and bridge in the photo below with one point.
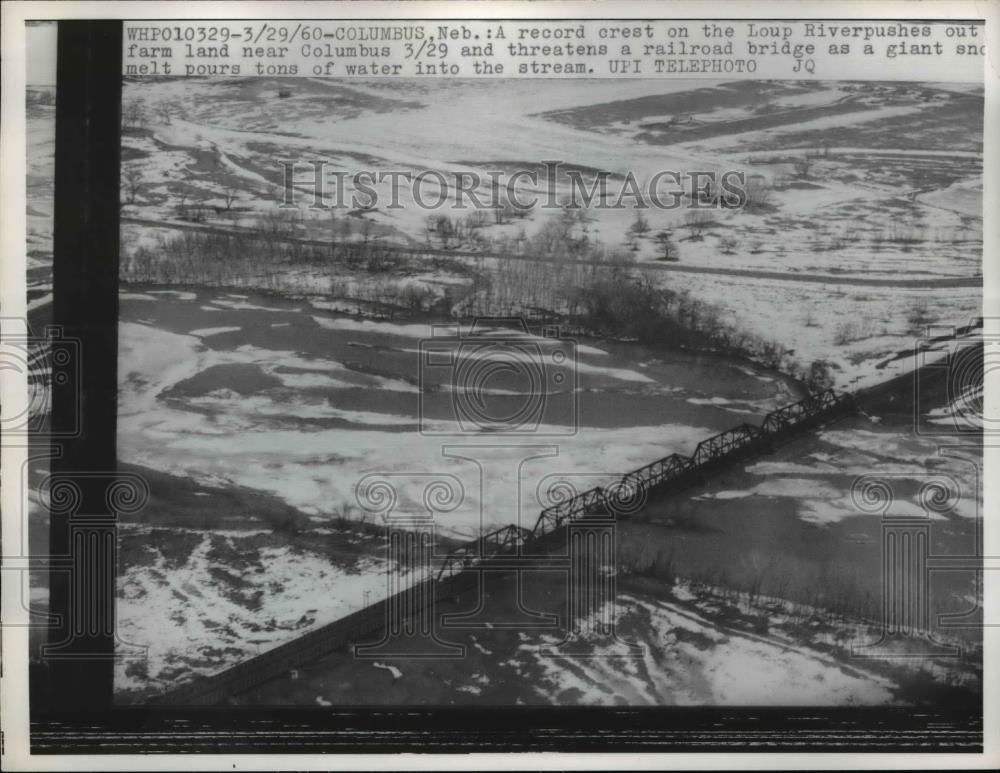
(673, 646)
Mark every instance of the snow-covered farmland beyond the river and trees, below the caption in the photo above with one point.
(909, 208)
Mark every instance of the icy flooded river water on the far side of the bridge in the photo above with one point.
(284, 397)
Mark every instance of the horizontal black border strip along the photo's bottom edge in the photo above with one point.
(237, 730)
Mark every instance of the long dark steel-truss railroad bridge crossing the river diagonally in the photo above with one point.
(576, 535)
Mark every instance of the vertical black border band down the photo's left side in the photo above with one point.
(84, 408)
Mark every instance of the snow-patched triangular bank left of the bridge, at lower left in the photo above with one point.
(183, 617)
